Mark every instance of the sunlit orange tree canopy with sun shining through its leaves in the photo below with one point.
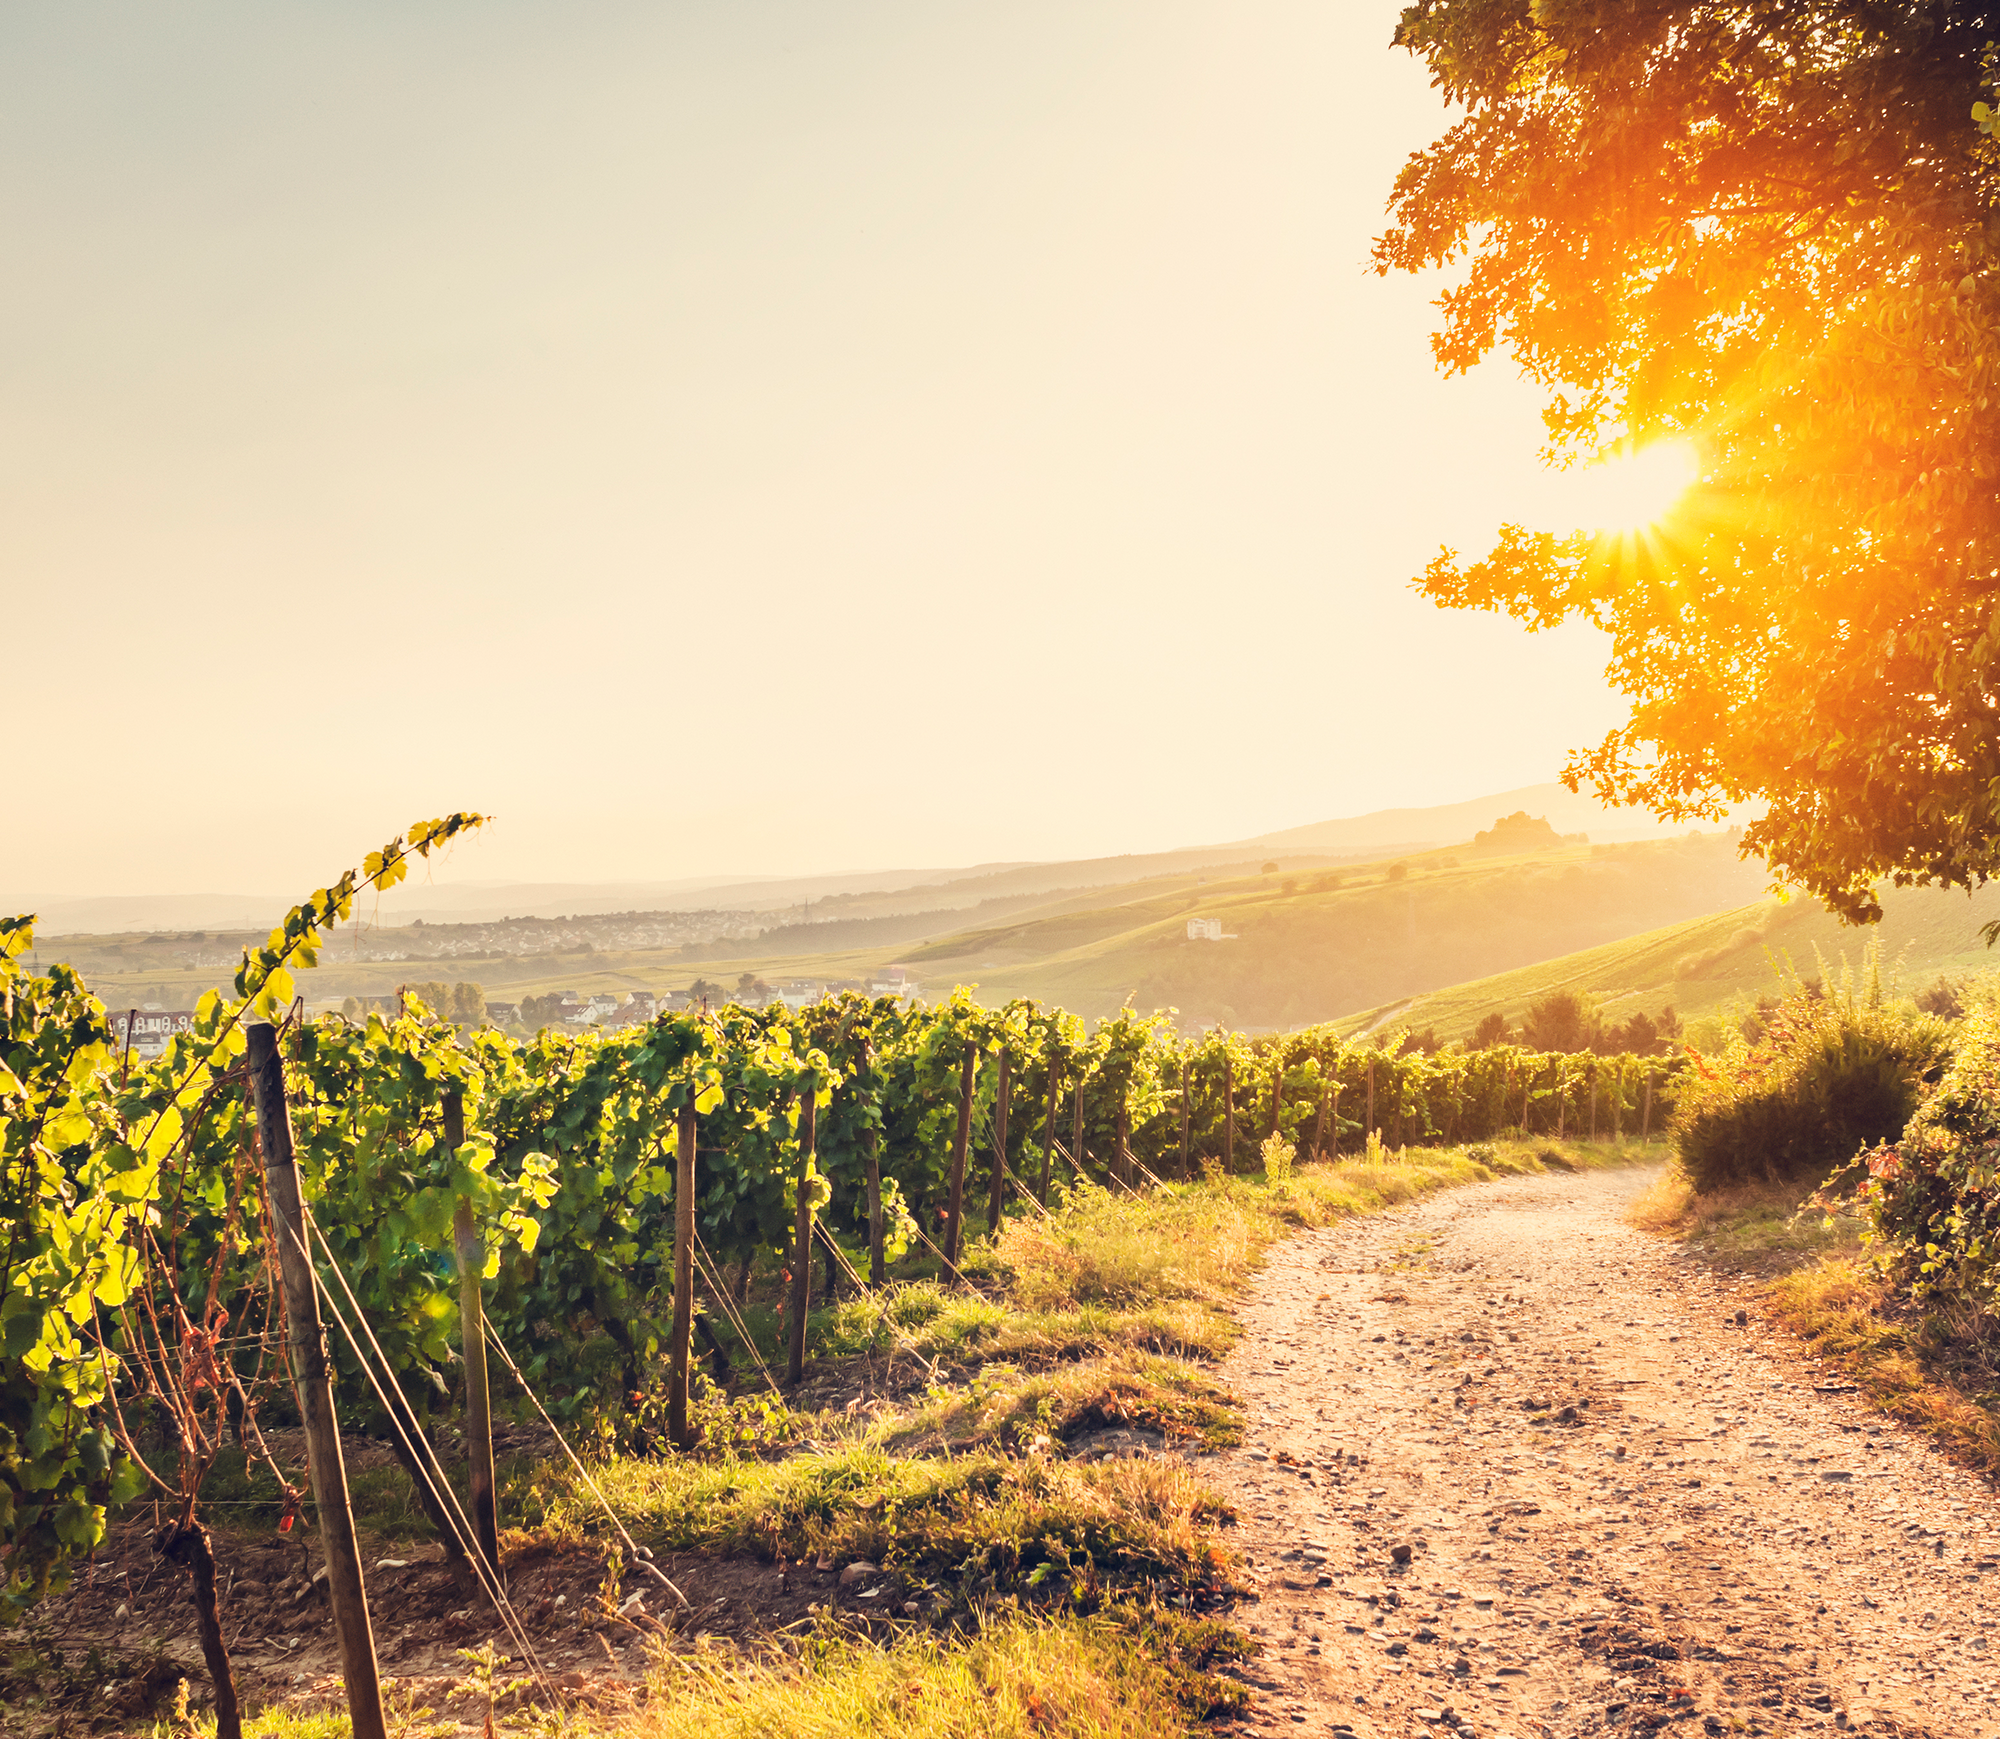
(1765, 229)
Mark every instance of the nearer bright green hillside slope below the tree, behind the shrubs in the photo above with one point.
(1725, 960)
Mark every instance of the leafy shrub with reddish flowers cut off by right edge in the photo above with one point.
(1933, 1198)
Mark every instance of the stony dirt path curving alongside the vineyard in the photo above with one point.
(1709, 1540)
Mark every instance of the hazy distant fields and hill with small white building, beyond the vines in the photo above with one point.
(1305, 942)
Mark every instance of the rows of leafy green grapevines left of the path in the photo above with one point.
(593, 1202)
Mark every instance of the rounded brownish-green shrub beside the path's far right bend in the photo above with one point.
(1831, 1074)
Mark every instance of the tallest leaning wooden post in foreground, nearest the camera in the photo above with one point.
(315, 1390)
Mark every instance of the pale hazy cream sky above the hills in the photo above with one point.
(745, 437)
